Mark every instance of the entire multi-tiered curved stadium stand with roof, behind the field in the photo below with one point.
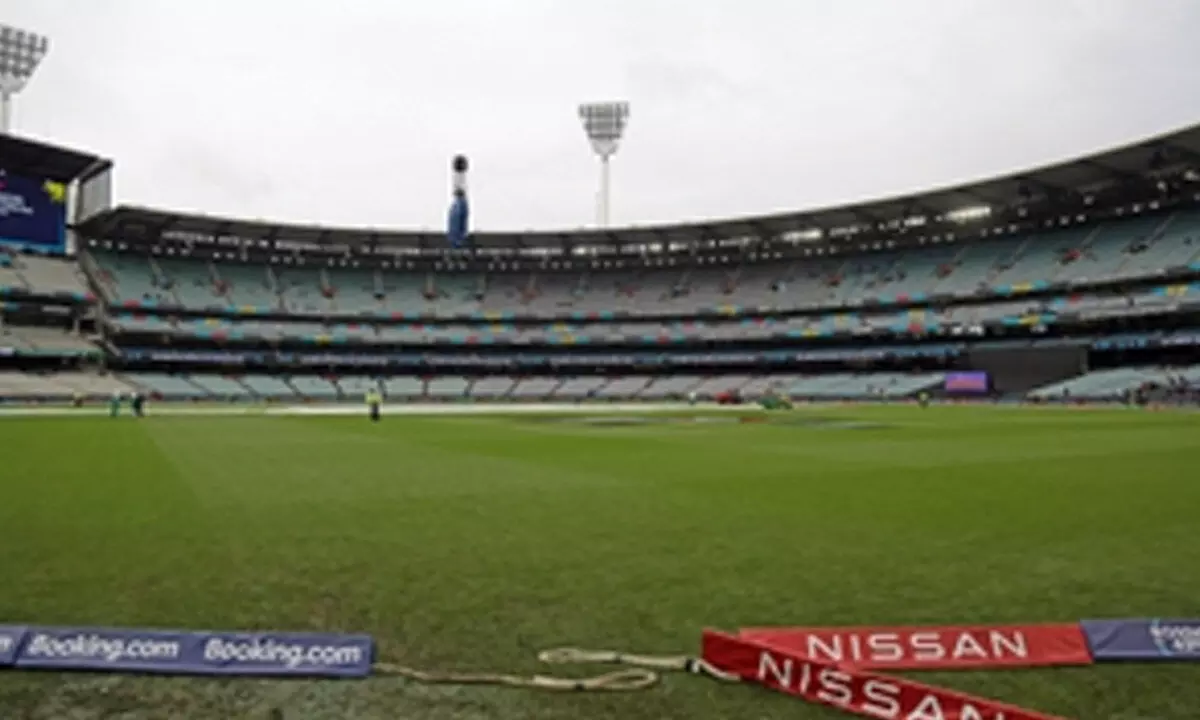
(1075, 281)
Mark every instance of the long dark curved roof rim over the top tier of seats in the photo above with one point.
(1143, 161)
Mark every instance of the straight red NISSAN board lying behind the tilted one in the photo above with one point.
(951, 647)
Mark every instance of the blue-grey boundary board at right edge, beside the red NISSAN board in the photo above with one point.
(1144, 639)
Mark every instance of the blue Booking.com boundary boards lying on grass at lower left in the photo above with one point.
(178, 652)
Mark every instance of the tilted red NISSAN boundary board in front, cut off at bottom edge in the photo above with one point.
(853, 691)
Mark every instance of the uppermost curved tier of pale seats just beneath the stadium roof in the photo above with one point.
(1137, 247)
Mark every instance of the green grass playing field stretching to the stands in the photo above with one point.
(472, 543)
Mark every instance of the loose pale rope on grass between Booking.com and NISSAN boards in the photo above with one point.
(641, 673)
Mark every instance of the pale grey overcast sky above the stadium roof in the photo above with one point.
(349, 112)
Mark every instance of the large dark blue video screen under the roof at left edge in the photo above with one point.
(33, 213)
